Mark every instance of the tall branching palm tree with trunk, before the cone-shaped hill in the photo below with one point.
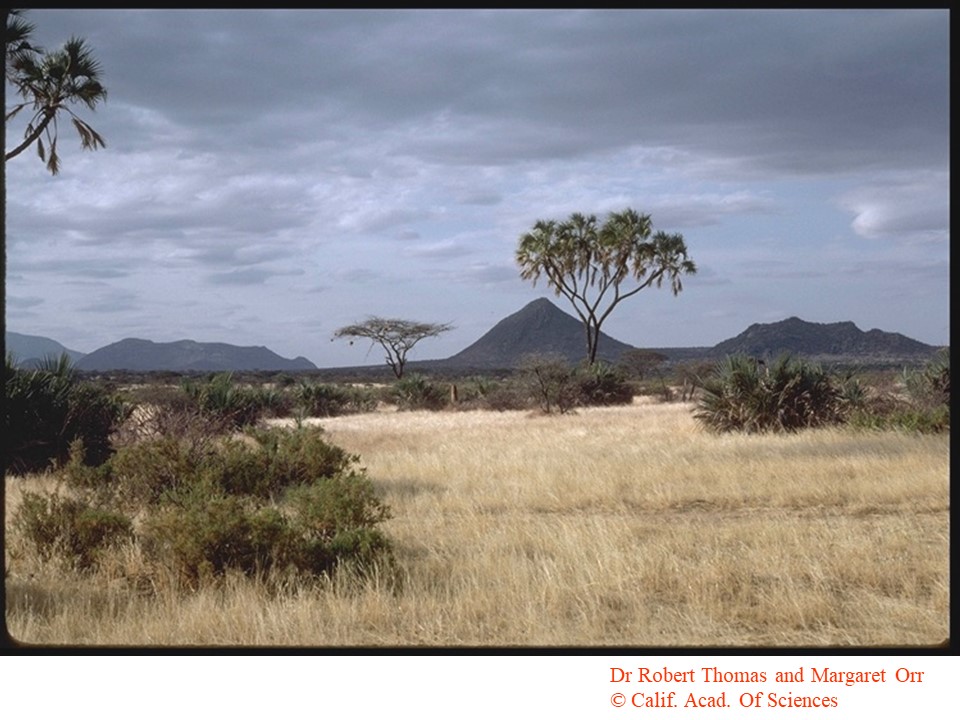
(597, 266)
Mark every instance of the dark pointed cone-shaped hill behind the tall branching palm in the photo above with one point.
(538, 328)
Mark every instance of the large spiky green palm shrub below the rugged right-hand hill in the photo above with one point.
(744, 394)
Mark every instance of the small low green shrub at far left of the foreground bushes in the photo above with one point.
(69, 528)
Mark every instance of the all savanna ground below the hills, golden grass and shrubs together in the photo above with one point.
(741, 503)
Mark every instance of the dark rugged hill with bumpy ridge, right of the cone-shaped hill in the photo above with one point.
(841, 339)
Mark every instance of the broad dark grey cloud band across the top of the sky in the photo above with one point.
(814, 89)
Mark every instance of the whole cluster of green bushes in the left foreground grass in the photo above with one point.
(276, 501)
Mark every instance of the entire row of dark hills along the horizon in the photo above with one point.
(540, 327)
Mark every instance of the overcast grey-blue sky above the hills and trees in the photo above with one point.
(270, 176)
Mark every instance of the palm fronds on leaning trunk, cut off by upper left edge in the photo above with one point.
(50, 82)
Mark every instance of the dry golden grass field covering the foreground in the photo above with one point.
(627, 527)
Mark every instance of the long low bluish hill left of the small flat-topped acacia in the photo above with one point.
(186, 355)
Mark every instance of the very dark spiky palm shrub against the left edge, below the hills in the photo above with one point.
(47, 408)
